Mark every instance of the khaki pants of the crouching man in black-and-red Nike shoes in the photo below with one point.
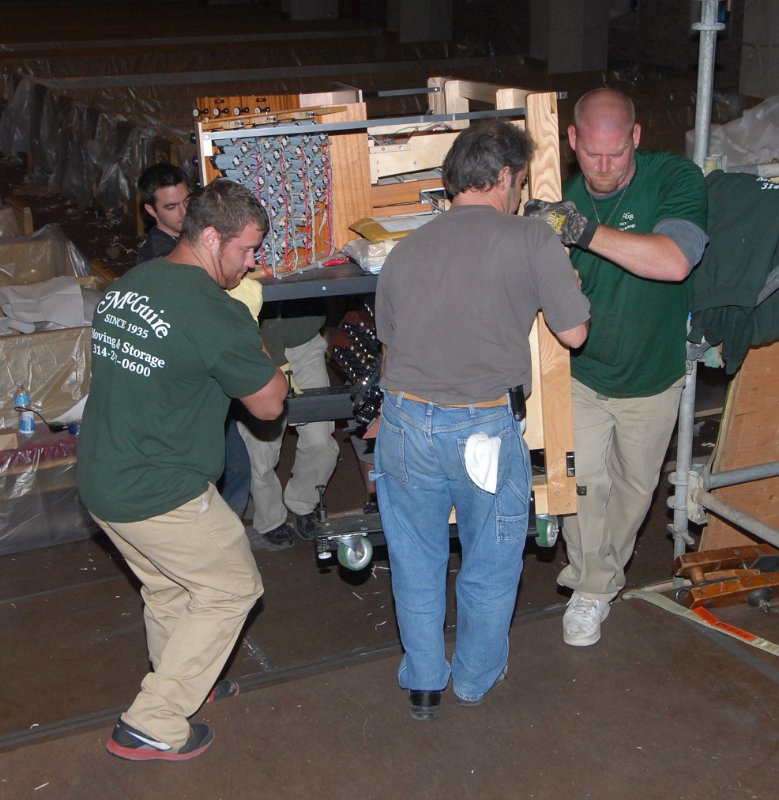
(199, 581)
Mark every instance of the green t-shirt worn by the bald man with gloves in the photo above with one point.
(636, 345)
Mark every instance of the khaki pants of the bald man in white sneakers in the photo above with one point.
(620, 444)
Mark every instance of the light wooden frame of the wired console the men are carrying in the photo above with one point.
(359, 159)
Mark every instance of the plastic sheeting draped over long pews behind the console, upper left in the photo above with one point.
(92, 144)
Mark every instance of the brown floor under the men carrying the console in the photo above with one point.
(660, 708)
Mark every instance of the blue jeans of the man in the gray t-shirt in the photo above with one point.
(420, 474)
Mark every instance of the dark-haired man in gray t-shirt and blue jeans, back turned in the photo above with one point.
(455, 302)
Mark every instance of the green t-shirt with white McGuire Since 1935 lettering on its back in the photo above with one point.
(169, 350)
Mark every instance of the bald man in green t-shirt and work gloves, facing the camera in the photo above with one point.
(635, 222)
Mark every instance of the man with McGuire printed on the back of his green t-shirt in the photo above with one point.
(170, 348)
